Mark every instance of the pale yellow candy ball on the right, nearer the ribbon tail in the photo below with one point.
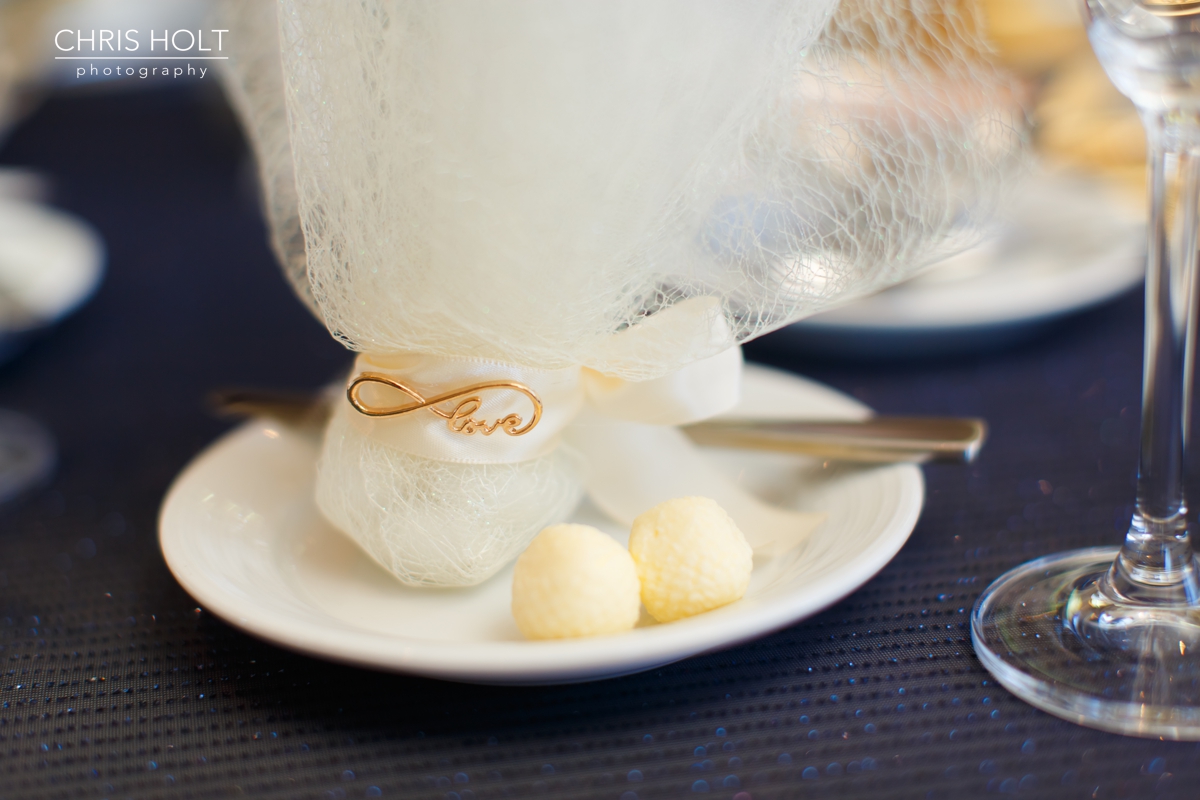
(691, 558)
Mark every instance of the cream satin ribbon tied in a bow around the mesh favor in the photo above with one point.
(626, 431)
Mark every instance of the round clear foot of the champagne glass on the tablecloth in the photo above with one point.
(1053, 636)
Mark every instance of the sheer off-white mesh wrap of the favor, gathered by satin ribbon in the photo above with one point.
(520, 181)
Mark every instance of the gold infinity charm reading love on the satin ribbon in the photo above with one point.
(460, 419)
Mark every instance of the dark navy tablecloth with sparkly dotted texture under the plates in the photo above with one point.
(113, 683)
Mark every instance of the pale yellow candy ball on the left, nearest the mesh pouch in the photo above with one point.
(574, 581)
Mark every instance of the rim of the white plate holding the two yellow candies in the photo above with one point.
(529, 663)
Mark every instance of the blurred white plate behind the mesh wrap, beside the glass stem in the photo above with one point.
(1060, 245)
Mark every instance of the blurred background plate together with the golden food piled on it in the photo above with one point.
(1069, 238)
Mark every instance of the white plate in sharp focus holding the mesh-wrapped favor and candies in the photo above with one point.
(242, 534)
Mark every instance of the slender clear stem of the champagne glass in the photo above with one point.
(1157, 564)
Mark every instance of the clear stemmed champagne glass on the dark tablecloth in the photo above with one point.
(1107, 637)
